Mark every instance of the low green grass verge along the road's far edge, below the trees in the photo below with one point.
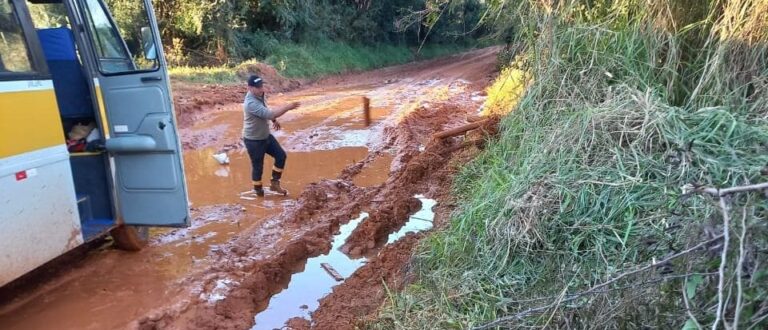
(315, 60)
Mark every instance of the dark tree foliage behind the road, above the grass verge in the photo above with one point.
(217, 32)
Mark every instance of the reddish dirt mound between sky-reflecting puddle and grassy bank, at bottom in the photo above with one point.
(361, 295)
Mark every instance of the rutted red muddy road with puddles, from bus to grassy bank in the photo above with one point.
(360, 199)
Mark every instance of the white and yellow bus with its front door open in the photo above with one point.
(88, 140)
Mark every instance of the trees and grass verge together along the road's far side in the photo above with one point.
(205, 40)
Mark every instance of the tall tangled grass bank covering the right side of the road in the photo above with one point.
(599, 206)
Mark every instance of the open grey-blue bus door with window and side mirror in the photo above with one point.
(136, 110)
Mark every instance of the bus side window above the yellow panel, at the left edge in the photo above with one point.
(14, 53)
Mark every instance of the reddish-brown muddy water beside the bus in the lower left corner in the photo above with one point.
(115, 286)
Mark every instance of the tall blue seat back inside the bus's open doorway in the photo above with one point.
(72, 91)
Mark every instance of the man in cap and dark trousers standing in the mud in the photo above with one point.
(257, 137)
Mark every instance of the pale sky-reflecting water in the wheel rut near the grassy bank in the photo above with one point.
(307, 288)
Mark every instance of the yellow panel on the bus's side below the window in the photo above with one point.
(29, 121)
